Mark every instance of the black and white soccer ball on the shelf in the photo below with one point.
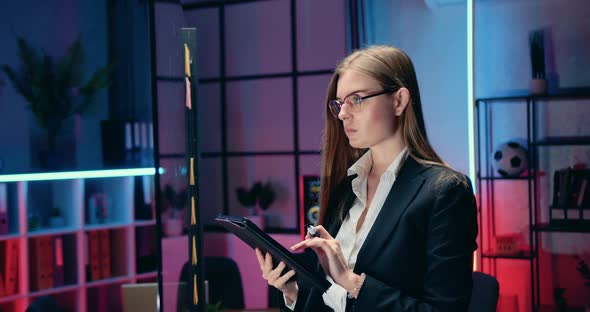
(510, 159)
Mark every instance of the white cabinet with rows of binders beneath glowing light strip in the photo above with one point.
(106, 237)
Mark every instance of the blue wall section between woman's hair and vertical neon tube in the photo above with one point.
(435, 38)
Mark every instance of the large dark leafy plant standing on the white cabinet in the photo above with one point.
(55, 91)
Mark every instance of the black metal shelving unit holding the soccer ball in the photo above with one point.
(487, 183)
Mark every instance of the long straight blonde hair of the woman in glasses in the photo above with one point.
(393, 69)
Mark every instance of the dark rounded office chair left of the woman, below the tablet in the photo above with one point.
(224, 279)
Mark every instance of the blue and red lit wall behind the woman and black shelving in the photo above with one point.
(434, 35)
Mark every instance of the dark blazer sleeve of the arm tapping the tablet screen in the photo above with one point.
(451, 240)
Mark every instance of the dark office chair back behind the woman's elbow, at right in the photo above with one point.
(485, 292)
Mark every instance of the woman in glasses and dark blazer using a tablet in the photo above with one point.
(397, 225)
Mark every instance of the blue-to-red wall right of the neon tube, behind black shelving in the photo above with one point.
(502, 67)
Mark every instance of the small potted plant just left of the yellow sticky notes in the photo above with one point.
(174, 203)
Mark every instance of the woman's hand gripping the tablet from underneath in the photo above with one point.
(273, 276)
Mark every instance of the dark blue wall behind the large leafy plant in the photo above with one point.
(51, 26)
